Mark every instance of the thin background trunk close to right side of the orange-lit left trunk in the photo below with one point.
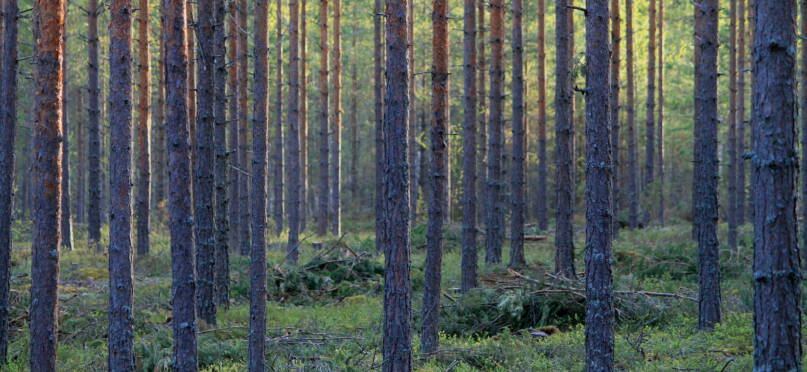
(66, 216)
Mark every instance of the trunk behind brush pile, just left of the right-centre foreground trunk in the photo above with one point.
(564, 145)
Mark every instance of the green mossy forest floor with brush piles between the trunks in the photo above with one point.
(326, 315)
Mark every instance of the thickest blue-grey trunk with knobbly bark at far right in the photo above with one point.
(777, 266)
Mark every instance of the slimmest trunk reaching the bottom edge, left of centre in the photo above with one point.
(257, 262)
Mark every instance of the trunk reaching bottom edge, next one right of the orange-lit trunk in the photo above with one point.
(121, 273)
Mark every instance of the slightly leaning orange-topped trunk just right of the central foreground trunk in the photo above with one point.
(439, 158)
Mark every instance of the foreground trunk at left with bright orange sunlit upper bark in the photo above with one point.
(46, 178)
